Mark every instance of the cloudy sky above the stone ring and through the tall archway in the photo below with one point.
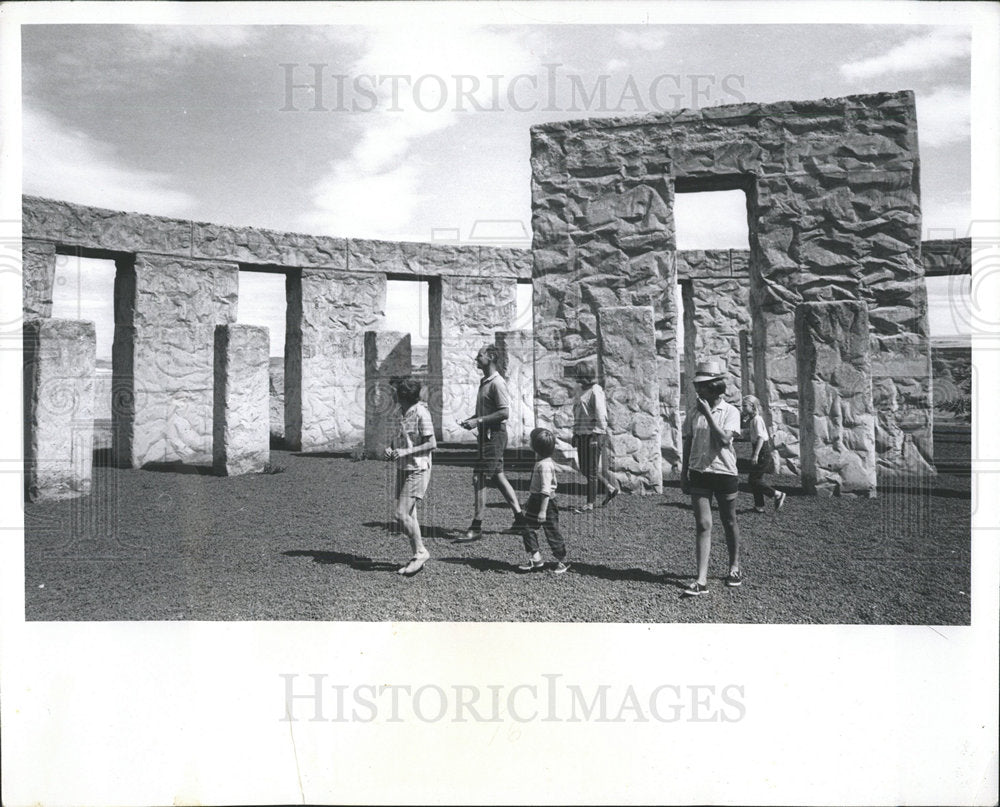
(421, 133)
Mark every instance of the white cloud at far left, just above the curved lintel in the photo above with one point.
(68, 164)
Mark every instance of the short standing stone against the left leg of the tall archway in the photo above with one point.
(628, 362)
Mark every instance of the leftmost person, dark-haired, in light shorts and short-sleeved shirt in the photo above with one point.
(413, 472)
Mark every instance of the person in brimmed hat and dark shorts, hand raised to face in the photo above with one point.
(709, 469)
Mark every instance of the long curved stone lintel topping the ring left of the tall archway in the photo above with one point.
(115, 231)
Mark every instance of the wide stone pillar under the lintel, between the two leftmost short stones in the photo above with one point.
(163, 357)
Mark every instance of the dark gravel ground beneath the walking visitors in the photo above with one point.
(314, 542)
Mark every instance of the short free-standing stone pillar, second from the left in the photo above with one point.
(241, 433)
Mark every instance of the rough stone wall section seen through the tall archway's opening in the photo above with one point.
(716, 289)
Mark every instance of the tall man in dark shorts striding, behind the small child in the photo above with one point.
(492, 409)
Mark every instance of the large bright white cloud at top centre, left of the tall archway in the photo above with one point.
(374, 191)
